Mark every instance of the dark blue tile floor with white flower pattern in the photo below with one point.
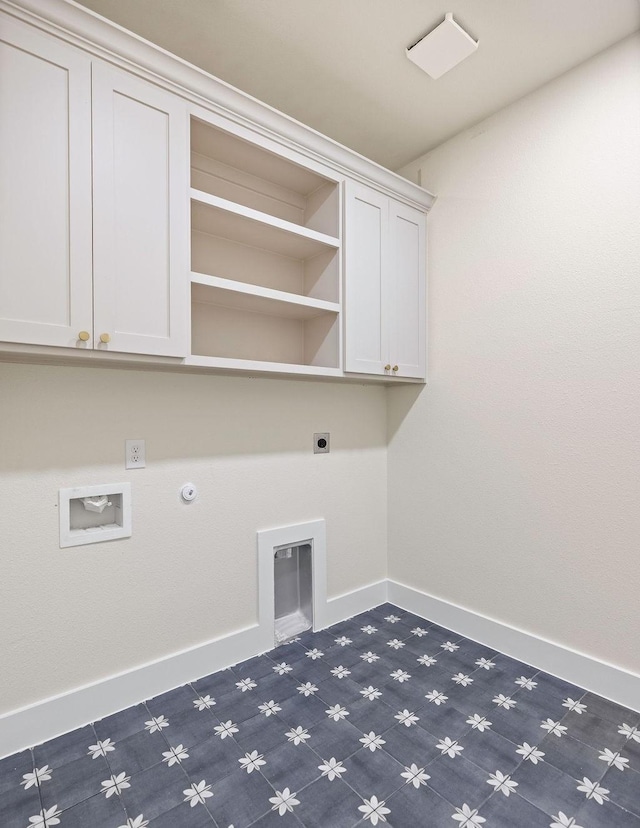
(382, 719)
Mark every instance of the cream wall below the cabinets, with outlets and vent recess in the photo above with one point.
(188, 575)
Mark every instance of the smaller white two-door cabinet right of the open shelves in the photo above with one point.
(385, 285)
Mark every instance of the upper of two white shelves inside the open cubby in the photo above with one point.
(220, 217)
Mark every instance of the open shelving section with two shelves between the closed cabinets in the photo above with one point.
(265, 258)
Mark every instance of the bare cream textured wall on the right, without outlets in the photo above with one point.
(514, 477)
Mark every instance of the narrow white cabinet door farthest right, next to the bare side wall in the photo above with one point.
(407, 301)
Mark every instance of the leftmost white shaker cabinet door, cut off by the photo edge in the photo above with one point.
(45, 188)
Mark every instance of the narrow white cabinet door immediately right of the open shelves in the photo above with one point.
(366, 299)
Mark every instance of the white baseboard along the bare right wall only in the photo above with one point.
(606, 680)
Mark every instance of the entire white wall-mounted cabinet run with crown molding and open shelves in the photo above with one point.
(150, 211)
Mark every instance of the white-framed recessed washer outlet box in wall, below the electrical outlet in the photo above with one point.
(92, 514)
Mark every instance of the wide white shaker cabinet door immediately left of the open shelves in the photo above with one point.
(140, 164)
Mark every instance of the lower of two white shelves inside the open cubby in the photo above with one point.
(243, 296)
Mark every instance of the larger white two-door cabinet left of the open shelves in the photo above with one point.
(93, 184)
